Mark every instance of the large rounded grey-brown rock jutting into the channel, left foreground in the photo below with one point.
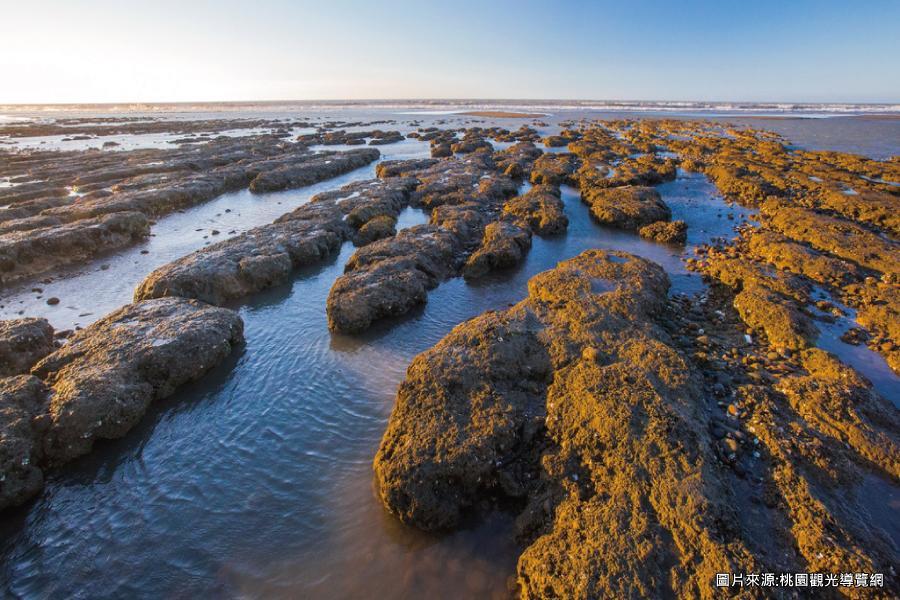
(105, 377)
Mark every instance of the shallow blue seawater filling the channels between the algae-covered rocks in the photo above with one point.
(257, 480)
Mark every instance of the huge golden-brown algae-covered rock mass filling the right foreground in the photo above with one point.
(577, 408)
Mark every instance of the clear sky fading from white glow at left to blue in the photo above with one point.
(189, 51)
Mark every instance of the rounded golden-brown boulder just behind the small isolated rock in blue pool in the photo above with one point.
(626, 207)
